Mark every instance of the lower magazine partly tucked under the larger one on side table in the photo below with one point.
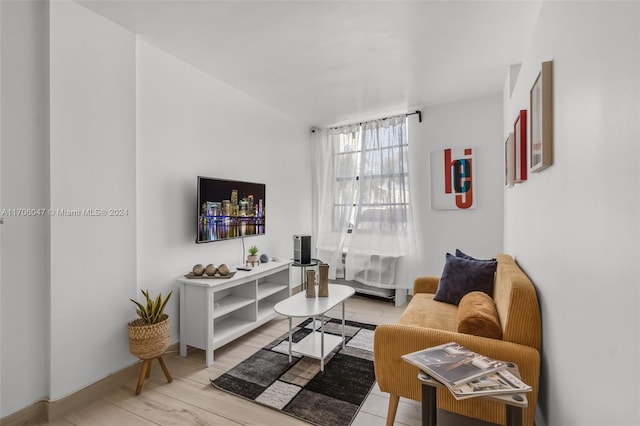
(500, 382)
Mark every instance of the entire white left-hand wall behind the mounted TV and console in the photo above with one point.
(129, 127)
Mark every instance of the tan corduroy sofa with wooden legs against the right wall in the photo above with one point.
(426, 322)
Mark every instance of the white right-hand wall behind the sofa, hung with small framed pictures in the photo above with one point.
(574, 227)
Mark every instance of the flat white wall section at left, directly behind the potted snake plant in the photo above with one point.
(93, 259)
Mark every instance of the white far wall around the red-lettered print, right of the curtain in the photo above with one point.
(478, 232)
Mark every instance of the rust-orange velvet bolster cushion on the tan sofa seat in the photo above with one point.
(477, 315)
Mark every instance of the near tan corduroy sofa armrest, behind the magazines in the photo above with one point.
(398, 377)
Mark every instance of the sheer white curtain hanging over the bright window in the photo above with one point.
(361, 199)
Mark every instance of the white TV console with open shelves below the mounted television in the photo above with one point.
(213, 312)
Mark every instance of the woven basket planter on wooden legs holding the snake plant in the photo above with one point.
(148, 341)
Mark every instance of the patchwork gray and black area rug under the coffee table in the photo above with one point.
(326, 398)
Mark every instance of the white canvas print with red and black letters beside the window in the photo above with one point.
(452, 179)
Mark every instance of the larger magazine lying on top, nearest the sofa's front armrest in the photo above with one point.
(453, 364)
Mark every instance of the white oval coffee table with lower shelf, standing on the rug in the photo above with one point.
(317, 344)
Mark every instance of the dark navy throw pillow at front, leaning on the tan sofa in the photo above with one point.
(461, 276)
